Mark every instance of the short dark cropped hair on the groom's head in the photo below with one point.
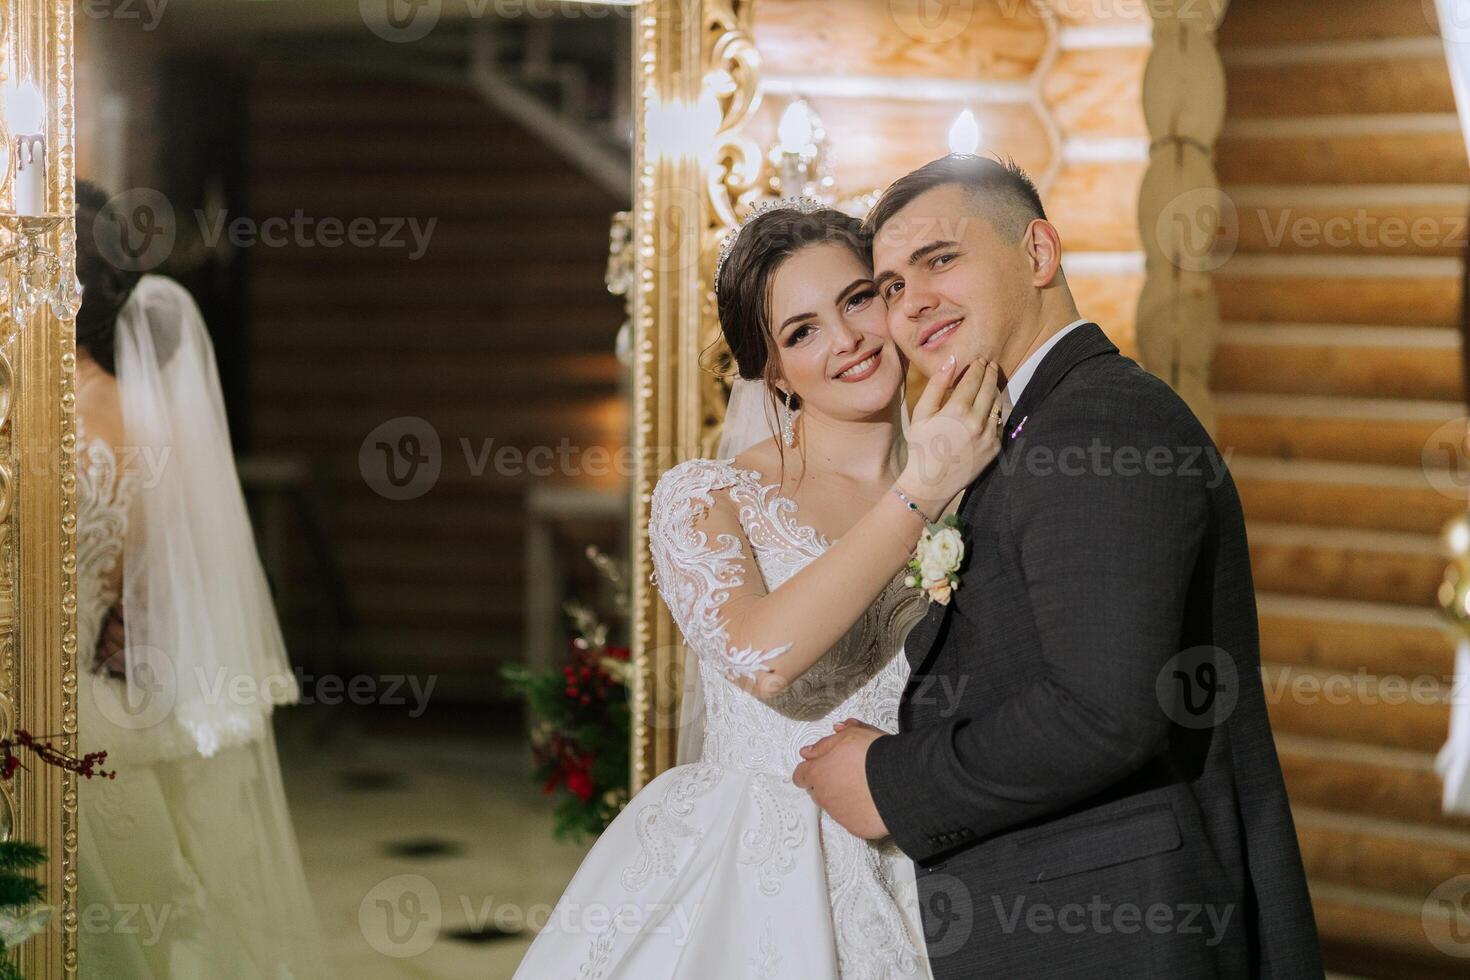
(1002, 192)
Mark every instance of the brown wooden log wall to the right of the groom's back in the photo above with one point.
(1338, 362)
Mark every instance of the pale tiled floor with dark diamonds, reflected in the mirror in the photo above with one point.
(414, 832)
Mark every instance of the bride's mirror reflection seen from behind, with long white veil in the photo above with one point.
(189, 865)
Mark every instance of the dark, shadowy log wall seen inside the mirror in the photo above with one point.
(502, 330)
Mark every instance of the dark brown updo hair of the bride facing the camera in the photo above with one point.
(764, 246)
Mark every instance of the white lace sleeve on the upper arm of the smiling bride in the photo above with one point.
(702, 563)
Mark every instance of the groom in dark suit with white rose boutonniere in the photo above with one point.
(1084, 774)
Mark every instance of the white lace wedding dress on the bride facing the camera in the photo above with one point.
(723, 869)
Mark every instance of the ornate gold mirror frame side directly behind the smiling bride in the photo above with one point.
(696, 83)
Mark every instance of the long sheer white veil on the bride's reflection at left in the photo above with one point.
(198, 610)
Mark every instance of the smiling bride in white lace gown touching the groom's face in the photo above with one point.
(783, 563)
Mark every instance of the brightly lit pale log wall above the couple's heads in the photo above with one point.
(1058, 90)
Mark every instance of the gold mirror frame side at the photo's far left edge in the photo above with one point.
(37, 469)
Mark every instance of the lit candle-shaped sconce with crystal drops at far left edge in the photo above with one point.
(37, 249)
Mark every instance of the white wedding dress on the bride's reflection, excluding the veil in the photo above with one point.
(183, 871)
